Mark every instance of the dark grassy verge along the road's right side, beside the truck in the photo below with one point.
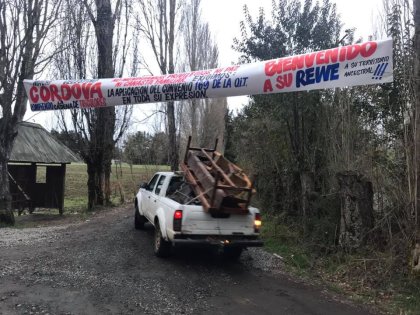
(368, 276)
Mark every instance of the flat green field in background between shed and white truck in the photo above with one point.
(124, 185)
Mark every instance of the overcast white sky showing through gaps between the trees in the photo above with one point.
(224, 17)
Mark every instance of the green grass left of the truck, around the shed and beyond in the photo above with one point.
(125, 182)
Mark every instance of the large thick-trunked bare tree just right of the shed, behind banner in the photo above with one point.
(98, 130)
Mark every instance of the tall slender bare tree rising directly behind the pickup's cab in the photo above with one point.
(158, 26)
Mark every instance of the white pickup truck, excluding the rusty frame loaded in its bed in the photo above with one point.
(170, 205)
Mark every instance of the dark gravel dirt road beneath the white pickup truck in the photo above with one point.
(105, 266)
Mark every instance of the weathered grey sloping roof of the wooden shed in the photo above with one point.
(36, 145)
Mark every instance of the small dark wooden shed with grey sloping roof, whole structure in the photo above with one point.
(37, 169)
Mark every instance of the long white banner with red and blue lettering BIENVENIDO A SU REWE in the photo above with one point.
(358, 64)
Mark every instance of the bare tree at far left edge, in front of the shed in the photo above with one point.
(24, 35)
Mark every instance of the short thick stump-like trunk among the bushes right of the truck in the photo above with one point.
(357, 219)
